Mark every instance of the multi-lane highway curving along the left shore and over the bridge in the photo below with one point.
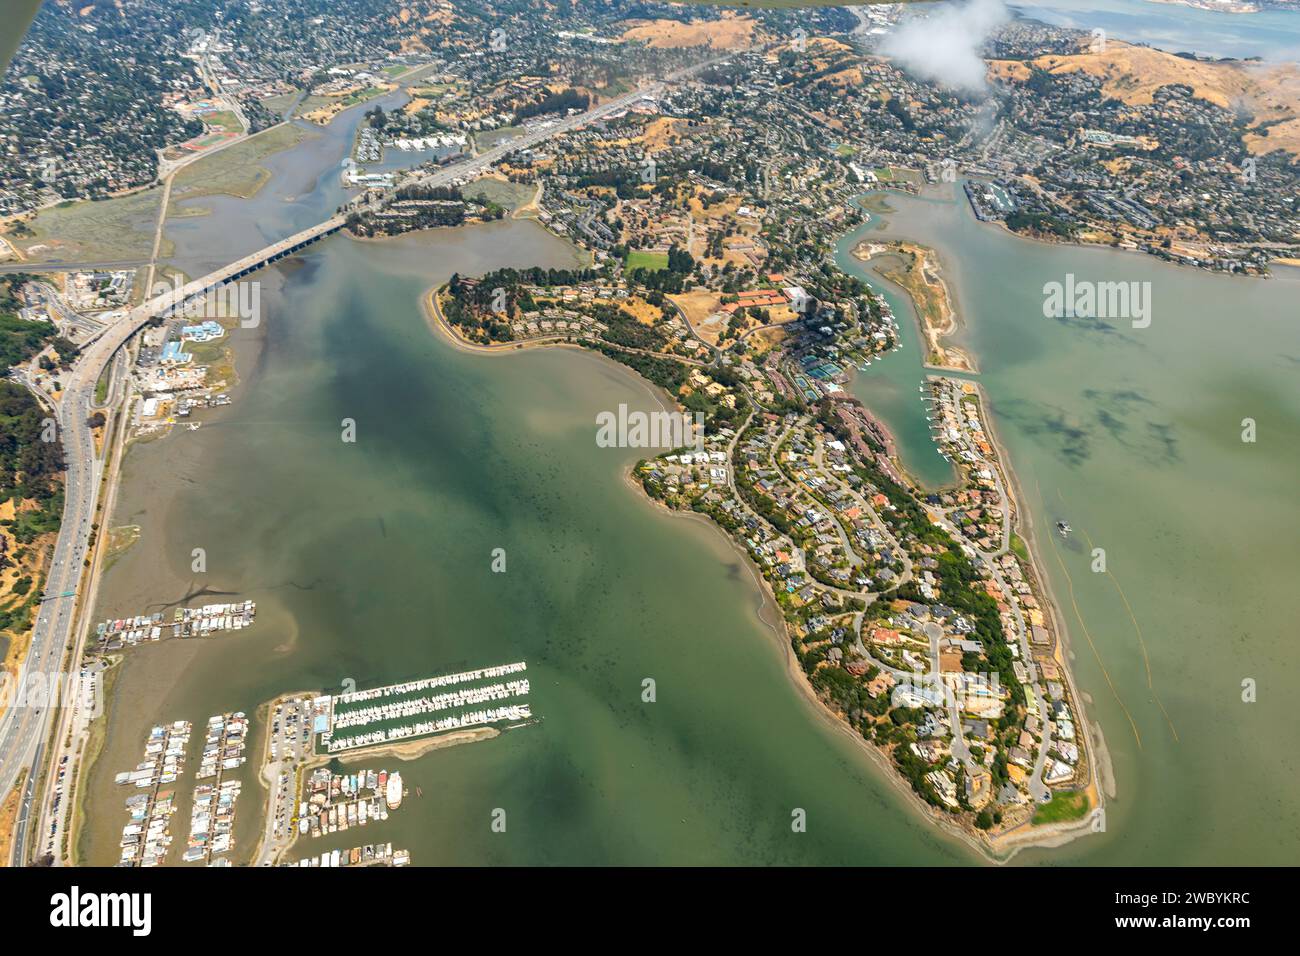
(25, 729)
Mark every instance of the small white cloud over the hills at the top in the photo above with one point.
(944, 46)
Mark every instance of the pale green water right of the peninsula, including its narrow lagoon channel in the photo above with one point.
(1134, 436)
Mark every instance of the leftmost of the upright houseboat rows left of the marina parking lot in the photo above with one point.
(146, 838)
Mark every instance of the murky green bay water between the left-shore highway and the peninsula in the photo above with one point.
(371, 561)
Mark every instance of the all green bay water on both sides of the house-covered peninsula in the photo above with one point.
(372, 563)
